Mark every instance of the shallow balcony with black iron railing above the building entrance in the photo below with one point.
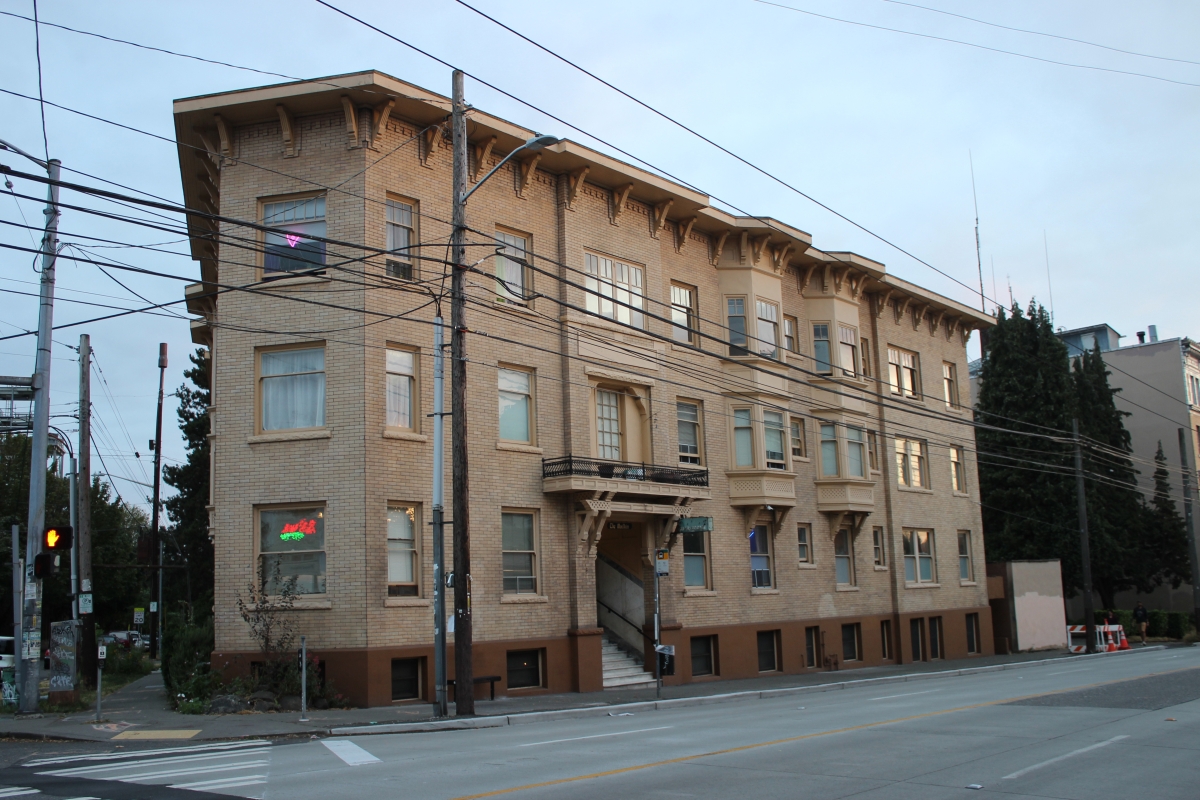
(578, 474)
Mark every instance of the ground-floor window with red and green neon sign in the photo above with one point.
(292, 550)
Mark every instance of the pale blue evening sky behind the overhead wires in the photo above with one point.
(875, 124)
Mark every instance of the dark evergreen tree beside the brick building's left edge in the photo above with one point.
(188, 543)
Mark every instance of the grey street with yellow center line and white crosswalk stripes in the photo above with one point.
(1117, 727)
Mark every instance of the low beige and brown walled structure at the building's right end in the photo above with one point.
(1028, 607)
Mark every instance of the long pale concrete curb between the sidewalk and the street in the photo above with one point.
(706, 700)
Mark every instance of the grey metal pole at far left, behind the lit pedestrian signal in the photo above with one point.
(43, 404)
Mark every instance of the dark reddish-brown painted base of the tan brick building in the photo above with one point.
(573, 663)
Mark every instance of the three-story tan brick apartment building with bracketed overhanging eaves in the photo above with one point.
(817, 452)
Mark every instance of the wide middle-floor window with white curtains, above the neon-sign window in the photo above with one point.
(293, 389)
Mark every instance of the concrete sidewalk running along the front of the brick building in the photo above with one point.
(141, 711)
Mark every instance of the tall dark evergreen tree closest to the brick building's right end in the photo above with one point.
(1029, 509)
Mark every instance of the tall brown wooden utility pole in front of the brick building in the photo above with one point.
(465, 672)
